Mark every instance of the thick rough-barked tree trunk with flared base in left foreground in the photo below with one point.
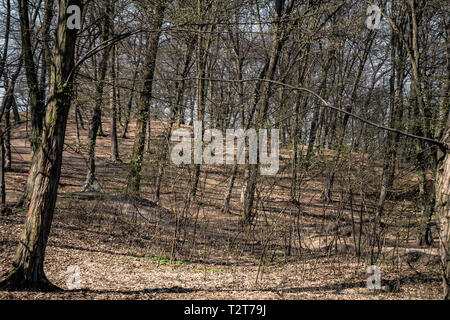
(28, 266)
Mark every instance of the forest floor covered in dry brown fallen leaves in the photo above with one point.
(128, 249)
